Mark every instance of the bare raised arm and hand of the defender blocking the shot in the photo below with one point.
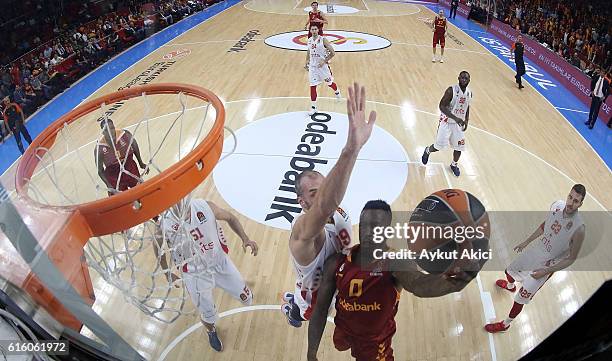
(330, 193)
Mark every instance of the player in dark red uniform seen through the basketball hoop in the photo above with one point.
(114, 154)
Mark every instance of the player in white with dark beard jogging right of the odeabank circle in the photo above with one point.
(455, 108)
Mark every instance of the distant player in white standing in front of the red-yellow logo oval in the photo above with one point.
(318, 55)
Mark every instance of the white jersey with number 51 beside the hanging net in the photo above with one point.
(197, 243)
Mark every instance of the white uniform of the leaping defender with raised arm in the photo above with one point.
(338, 235)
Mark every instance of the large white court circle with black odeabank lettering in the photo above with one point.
(258, 180)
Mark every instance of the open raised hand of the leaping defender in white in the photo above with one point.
(359, 129)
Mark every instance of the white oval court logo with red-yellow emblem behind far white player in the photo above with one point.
(342, 41)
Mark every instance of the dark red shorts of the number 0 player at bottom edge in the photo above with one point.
(364, 350)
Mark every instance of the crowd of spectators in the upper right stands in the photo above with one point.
(579, 31)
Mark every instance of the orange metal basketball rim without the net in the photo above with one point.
(147, 200)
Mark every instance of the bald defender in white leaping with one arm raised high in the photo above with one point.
(324, 229)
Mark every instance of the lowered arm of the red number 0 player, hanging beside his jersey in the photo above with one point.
(325, 295)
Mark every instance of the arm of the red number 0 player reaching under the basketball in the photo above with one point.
(429, 285)
